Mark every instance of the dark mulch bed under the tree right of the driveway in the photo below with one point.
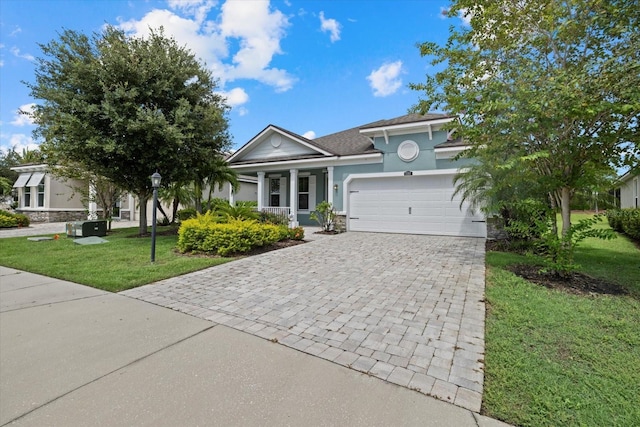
(575, 283)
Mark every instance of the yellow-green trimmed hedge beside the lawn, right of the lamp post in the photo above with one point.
(205, 234)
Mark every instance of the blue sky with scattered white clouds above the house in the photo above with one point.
(312, 67)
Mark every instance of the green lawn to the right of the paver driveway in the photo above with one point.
(558, 359)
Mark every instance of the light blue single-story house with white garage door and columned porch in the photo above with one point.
(387, 176)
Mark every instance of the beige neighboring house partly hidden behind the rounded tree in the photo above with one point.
(44, 197)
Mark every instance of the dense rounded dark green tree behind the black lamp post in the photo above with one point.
(125, 107)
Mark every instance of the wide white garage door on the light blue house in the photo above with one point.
(411, 204)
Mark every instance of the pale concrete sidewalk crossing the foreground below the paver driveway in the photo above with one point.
(73, 355)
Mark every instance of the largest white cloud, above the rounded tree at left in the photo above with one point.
(252, 26)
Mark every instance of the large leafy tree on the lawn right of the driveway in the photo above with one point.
(548, 91)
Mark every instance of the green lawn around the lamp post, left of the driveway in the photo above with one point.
(121, 264)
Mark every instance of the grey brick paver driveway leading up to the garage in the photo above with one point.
(408, 309)
